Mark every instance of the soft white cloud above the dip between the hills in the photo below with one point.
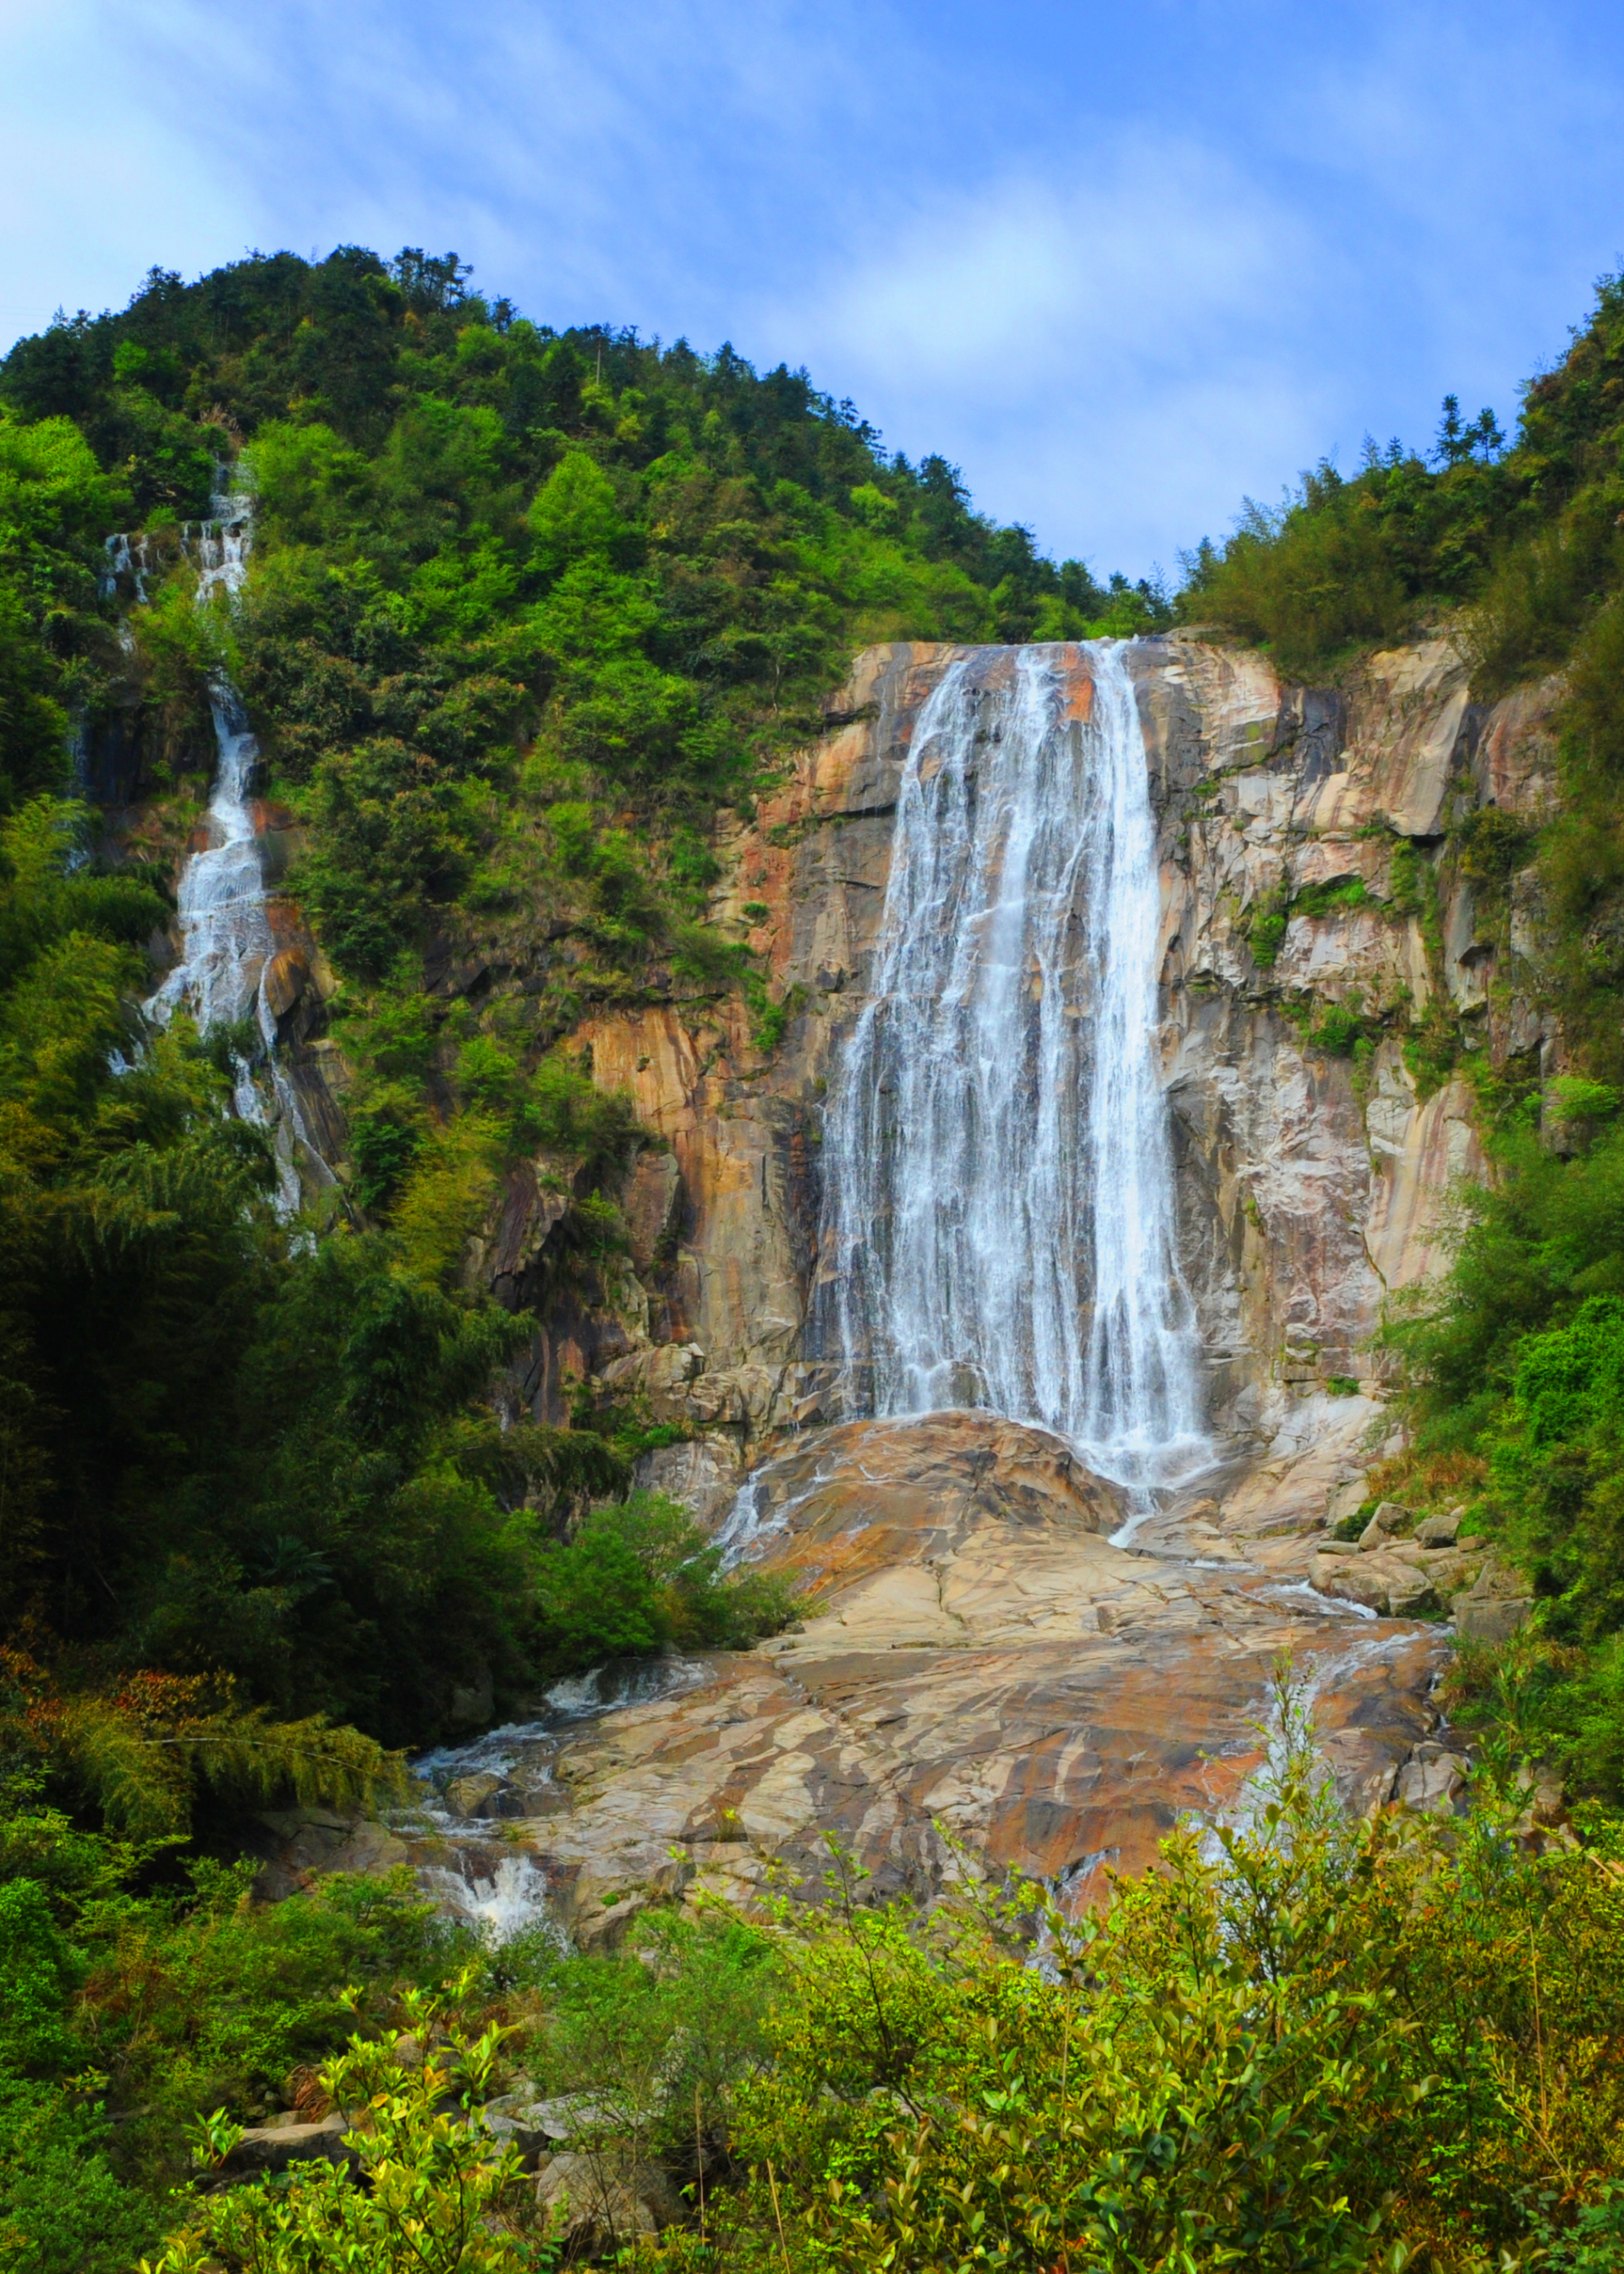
(1104, 356)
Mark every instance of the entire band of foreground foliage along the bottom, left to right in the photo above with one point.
(1302, 2043)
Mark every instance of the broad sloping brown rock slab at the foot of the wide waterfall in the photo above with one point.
(979, 1663)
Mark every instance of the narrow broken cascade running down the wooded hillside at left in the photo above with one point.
(222, 899)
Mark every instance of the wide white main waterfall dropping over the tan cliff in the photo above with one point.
(997, 1168)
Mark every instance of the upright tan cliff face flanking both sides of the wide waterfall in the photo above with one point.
(1314, 913)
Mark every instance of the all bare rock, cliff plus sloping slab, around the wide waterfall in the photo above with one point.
(991, 1652)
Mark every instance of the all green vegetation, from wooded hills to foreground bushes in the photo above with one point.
(527, 613)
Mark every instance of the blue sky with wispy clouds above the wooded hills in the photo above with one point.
(1122, 265)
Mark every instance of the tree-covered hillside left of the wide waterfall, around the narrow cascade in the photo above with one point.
(524, 611)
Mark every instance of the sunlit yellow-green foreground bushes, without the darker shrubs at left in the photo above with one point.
(1300, 2048)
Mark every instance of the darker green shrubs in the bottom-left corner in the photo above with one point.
(160, 2005)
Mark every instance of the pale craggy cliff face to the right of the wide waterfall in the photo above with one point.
(1307, 883)
